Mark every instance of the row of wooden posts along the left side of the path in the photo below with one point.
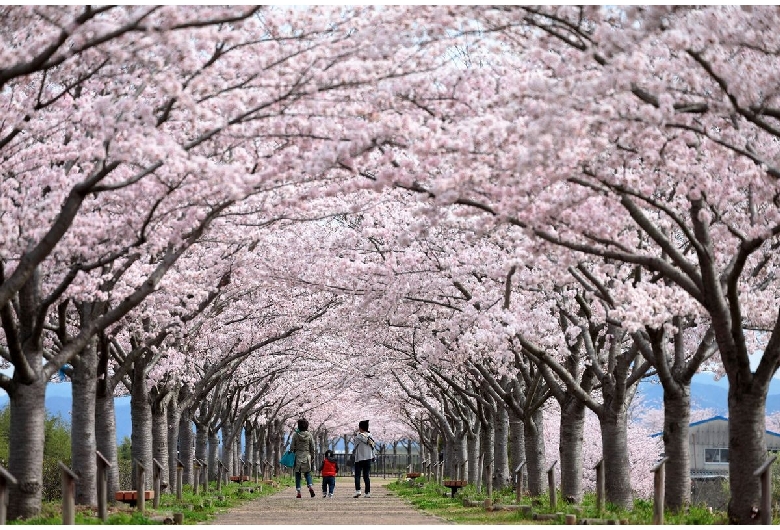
(69, 478)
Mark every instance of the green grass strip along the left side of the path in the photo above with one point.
(195, 508)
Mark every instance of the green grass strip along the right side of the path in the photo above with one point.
(431, 498)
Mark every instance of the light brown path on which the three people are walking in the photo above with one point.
(283, 508)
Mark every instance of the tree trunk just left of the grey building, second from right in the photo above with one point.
(677, 417)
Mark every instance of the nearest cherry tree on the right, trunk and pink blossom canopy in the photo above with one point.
(660, 158)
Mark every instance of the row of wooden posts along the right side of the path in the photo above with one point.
(435, 470)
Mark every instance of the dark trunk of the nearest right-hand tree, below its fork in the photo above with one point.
(747, 451)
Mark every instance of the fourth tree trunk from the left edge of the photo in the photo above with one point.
(141, 420)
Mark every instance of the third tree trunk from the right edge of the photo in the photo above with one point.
(617, 468)
